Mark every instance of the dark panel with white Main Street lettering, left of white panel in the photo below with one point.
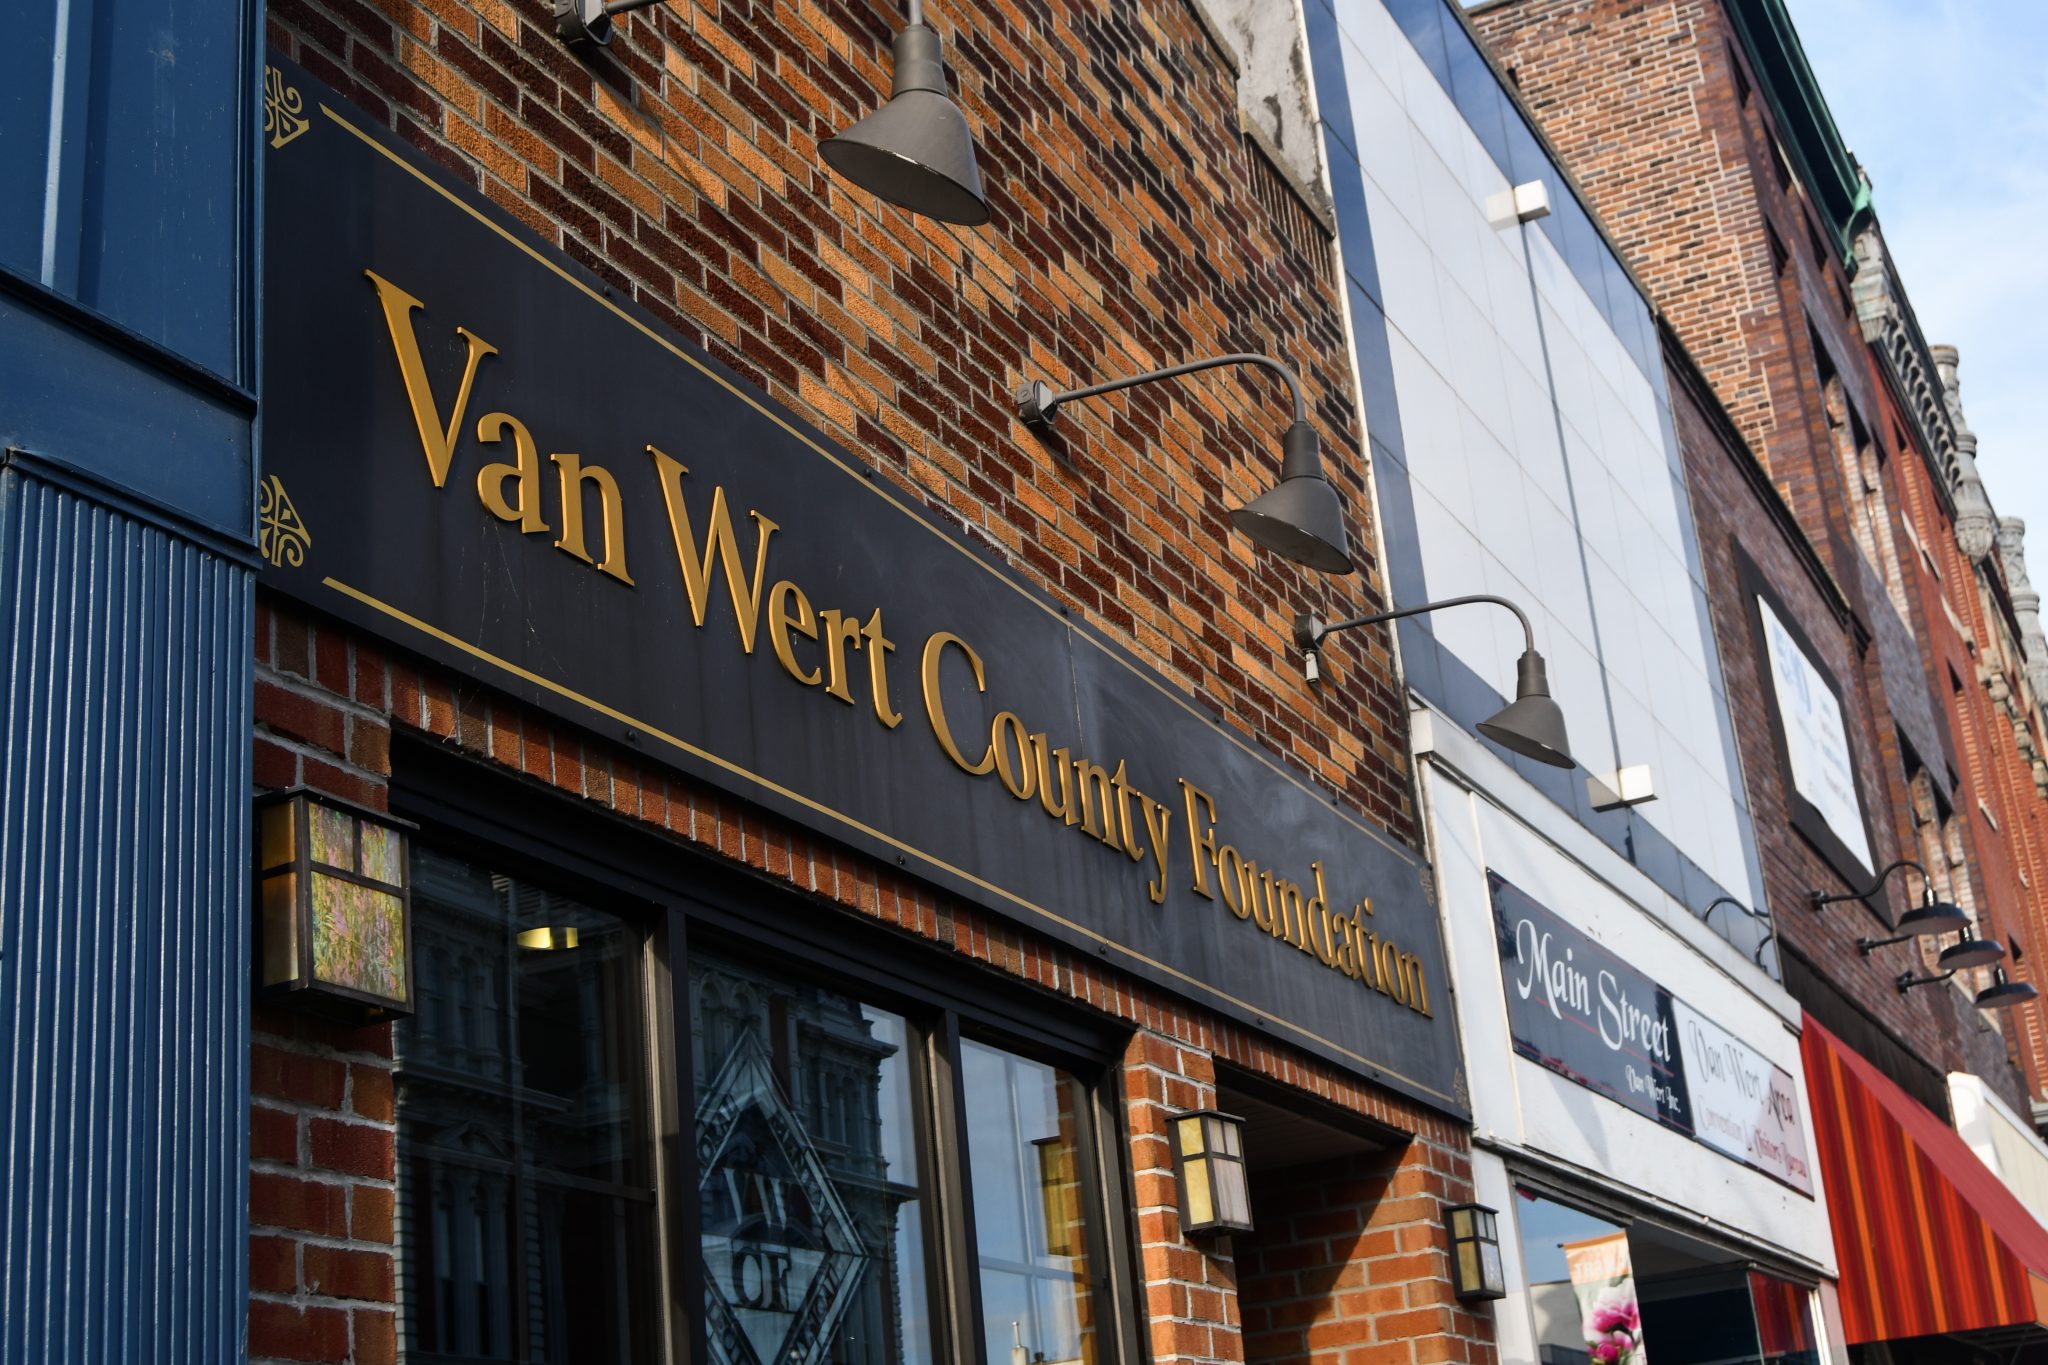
(1586, 1014)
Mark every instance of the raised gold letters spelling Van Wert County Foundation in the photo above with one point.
(1068, 787)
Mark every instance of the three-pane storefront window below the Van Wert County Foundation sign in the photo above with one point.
(816, 1137)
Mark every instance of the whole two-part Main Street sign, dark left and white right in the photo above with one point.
(1584, 1014)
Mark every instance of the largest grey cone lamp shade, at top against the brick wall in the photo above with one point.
(916, 150)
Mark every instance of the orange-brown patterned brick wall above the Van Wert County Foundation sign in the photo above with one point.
(1134, 228)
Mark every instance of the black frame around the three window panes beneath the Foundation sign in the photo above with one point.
(683, 901)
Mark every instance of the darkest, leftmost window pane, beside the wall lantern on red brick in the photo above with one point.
(525, 1168)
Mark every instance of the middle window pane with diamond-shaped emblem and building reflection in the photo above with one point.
(810, 1178)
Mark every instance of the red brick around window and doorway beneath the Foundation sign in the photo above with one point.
(323, 1170)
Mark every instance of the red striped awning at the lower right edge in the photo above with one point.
(1926, 1237)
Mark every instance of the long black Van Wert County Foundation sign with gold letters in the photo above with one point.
(478, 453)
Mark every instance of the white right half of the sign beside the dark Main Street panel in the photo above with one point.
(1742, 1104)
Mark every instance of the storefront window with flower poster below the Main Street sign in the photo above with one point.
(1611, 1294)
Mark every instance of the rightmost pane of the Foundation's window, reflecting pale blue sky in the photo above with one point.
(1025, 1172)
